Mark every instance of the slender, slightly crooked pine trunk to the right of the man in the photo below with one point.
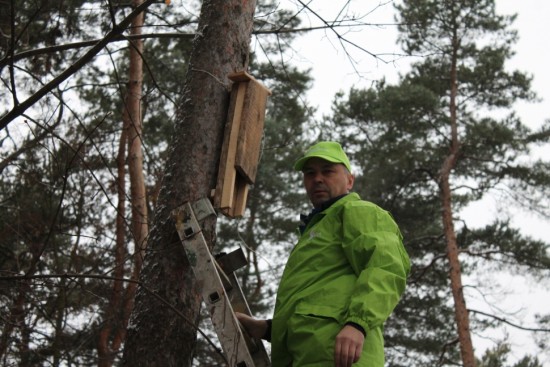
(455, 274)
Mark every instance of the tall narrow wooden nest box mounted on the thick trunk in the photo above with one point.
(241, 146)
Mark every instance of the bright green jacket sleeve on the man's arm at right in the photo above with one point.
(373, 245)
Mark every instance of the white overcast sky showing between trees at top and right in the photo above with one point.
(332, 70)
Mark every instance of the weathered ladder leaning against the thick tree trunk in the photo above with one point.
(220, 289)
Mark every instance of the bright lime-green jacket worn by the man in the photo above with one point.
(349, 265)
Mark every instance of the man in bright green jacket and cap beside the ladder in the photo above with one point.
(343, 278)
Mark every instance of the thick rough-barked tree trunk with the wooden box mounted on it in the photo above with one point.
(156, 335)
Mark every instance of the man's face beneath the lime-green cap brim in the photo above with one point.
(324, 180)
